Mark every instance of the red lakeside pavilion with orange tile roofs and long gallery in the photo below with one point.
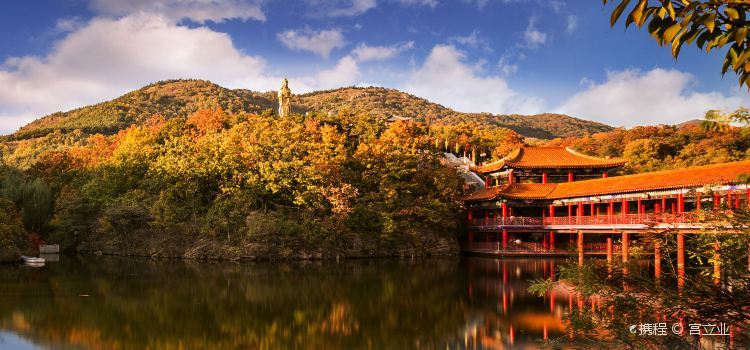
(546, 200)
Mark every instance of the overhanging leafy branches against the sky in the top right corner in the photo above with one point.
(709, 24)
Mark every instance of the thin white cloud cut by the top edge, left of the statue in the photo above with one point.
(199, 11)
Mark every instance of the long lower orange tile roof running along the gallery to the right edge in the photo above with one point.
(725, 173)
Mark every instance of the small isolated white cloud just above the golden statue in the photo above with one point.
(320, 43)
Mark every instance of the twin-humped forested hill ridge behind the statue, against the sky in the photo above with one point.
(183, 97)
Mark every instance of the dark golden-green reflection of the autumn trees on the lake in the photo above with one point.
(138, 304)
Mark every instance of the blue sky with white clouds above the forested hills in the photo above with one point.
(497, 56)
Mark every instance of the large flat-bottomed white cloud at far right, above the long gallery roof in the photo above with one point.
(632, 97)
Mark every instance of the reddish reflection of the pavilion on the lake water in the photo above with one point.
(505, 314)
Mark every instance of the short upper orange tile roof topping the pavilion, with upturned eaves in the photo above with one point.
(548, 157)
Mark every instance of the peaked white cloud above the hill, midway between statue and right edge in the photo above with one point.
(445, 78)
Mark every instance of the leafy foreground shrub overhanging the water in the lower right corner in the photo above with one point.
(632, 295)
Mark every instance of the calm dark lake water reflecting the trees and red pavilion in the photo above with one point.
(133, 303)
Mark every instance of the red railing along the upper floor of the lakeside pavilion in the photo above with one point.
(629, 219)
